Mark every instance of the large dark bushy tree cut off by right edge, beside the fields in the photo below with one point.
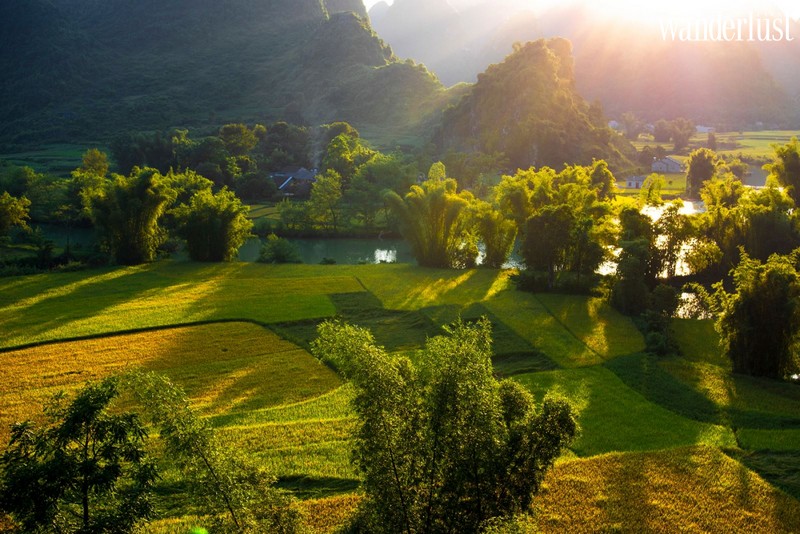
(759, 324)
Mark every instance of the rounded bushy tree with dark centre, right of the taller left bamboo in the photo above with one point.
(215, 226)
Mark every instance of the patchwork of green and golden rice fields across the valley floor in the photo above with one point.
(653, 431)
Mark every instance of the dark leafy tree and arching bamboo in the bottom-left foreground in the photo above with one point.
(87, 471)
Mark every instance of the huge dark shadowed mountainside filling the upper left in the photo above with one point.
(87, 69)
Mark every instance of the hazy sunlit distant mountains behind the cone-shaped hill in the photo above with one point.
(625, 64)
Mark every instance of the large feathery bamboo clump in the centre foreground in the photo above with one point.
(441, 444)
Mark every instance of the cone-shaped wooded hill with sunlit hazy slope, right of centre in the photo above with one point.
(527, 108)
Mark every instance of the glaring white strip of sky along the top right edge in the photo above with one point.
(652, 11)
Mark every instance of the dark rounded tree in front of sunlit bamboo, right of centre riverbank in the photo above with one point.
(547, 239)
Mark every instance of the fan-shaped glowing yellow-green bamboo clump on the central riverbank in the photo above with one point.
(436, 222)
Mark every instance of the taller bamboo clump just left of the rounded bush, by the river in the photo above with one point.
(127, 212)
